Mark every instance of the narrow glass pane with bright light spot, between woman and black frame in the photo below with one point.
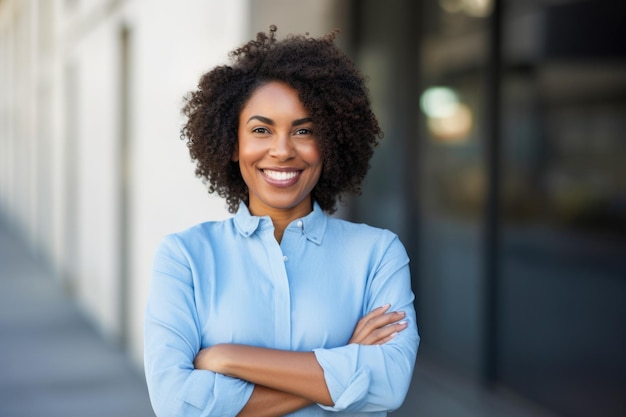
(452, 180)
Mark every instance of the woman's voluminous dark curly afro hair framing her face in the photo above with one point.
(331, 89)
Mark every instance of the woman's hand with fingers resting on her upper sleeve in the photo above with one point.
(378, 327)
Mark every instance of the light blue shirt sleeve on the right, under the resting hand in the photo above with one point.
(376, 378)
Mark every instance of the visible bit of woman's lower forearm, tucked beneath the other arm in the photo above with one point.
(268, 402)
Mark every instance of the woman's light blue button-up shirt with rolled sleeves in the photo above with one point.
(231, 282)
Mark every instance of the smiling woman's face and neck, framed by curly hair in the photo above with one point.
(278, 152)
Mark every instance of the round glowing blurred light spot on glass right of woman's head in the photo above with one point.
(447, 118)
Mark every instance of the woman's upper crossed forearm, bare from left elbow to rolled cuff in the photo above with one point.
(296, 373)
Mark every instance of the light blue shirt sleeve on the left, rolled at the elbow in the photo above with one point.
(172, 339)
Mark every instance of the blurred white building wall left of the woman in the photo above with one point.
(61, 151)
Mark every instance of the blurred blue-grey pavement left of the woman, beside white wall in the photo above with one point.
(52, 362)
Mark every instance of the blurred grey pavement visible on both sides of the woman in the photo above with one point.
(54, 364)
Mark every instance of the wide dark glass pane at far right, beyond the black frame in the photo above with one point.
(563, 276)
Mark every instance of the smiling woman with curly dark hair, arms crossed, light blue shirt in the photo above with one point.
(280, 309)
